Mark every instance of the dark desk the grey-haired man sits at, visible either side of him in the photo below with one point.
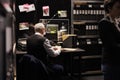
(66, 58)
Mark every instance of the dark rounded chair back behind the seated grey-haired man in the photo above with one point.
(31, 68)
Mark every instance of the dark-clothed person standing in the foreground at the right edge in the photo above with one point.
(110, 36)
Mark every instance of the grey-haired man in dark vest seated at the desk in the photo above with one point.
(40, 47)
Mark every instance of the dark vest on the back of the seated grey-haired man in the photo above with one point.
(35, 47)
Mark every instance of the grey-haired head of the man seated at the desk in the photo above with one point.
(40, 27)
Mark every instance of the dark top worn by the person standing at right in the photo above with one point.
(110, 37)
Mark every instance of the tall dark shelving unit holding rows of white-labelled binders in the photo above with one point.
(86, 14)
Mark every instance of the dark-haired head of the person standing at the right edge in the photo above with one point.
(112, 7)
